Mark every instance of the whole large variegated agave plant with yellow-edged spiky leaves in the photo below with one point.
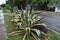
(26, 22)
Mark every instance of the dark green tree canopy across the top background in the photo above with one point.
(42, 3)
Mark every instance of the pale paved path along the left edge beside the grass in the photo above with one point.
(3, 35)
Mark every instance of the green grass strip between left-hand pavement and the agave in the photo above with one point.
(10, 28)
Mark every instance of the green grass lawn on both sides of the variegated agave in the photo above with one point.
(10, 27)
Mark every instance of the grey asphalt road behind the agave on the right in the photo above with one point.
(53, 21)
